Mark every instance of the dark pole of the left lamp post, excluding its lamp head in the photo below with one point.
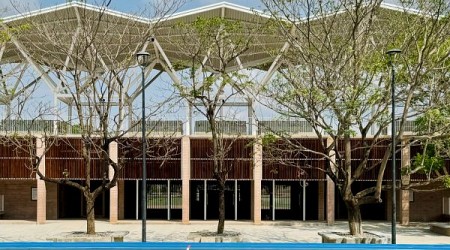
(144, 165)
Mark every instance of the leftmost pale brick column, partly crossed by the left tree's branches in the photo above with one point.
(41, 206)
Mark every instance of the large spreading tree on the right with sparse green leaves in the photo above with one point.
(335, 76)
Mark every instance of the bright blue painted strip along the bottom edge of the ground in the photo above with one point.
(198, 246)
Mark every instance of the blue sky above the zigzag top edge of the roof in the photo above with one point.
(11, 7)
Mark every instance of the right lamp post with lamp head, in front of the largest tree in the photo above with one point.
(390, 54)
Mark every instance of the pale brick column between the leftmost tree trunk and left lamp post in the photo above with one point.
(113, 192)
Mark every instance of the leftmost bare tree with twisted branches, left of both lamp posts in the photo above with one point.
(84, 54)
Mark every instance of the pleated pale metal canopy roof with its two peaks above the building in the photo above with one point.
(53, 33)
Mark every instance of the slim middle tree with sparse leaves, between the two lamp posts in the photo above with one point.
(210, 49)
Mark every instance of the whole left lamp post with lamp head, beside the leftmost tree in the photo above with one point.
(143, 60)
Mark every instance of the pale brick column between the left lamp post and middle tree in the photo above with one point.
(185, 178)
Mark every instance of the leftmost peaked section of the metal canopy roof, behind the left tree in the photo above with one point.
(53, 33)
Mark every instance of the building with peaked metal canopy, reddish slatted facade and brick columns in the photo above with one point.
(258, 187)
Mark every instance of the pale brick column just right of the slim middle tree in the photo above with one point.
(256, 182)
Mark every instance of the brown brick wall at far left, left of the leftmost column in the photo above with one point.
(18, 203)
